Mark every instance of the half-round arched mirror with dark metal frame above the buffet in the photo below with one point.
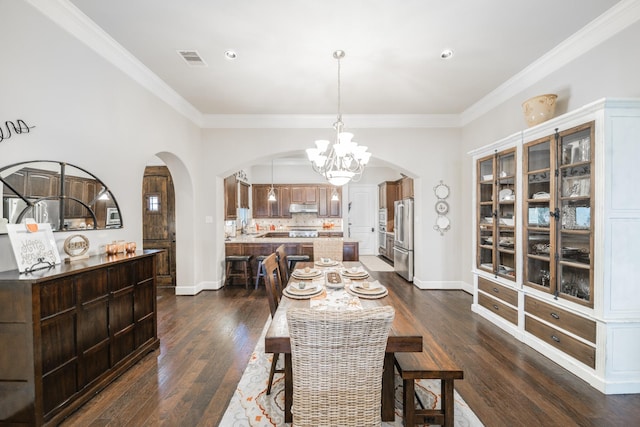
(61, 194)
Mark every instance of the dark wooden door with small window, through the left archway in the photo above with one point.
(159, 225)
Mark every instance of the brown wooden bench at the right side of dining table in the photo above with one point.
(431, 363)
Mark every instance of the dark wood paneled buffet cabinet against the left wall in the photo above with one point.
(68, 331)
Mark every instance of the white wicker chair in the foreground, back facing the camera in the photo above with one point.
(337, 363)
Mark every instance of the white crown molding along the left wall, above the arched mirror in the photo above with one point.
(71, 19)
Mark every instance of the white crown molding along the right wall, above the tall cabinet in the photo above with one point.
(610, 23)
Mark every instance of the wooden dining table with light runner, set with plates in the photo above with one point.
(403, 335)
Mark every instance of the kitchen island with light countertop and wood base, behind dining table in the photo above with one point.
(266, 243)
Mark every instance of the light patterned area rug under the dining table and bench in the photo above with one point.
(251, 406)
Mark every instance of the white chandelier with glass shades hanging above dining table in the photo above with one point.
(343, 160)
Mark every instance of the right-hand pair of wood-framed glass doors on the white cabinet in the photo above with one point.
(558, 206)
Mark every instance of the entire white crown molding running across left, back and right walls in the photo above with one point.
(610, 23)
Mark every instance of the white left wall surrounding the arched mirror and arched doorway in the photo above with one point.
(90, 114)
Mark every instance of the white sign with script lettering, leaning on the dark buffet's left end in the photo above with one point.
(34, 247)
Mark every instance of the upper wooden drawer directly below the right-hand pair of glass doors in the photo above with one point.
(563, 319)
